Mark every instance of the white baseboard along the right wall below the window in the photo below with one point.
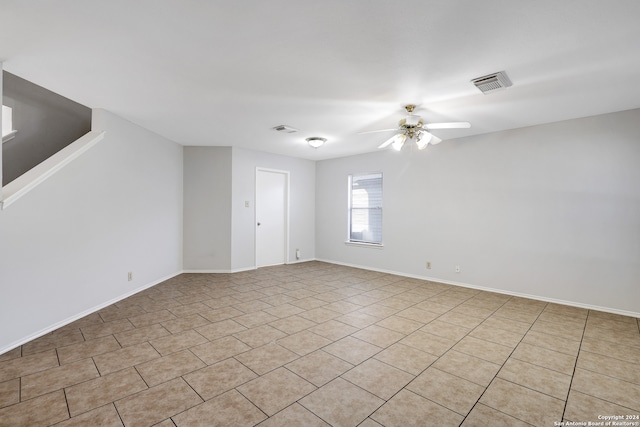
(498, 291)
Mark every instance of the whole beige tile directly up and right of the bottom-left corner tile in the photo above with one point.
(101, 391)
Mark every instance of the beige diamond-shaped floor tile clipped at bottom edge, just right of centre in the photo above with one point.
(341, 404)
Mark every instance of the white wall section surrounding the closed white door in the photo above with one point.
(302, 205)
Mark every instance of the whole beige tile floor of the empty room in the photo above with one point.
(317, 344)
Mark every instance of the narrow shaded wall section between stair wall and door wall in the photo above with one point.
(207, 209)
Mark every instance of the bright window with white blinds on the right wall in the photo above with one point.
(365, 208)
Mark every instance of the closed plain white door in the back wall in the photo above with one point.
(271, 217)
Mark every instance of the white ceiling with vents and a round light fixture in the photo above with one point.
(224, 72)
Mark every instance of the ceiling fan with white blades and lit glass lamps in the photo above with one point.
(413, 127)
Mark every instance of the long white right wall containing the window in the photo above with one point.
(551, 211)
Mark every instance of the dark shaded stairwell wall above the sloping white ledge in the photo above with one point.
(45, 123)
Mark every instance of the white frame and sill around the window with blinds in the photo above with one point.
(375, 242)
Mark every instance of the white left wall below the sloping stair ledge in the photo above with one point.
(66, 247)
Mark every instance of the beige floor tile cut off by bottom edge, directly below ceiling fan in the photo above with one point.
(407, 409)
